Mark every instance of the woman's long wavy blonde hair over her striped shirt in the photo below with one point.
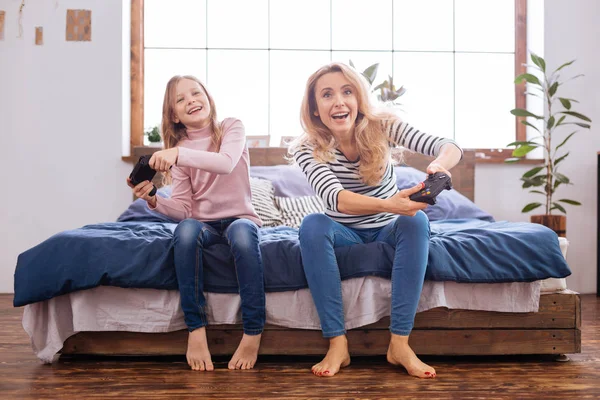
(371, 142)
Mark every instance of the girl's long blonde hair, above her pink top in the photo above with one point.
(173, 131)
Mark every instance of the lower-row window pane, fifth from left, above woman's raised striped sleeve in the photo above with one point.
(429, 99)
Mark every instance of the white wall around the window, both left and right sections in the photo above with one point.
(62, 118)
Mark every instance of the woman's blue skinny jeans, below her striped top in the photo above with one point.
(320, 235)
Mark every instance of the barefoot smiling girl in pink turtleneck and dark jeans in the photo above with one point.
(211, 196)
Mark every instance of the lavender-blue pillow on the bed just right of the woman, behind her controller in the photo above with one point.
(450, 203)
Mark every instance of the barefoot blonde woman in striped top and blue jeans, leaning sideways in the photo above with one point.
(345, 154)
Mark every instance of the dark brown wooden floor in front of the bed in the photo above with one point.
(22, 376)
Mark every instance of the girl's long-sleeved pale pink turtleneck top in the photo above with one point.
(209, 186)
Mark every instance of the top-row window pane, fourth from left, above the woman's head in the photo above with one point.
(361, 25)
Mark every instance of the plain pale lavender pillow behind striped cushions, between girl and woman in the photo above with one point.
(288, 180)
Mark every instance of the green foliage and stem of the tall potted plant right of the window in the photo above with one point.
(558, 115)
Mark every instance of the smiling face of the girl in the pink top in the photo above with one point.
(191, 107)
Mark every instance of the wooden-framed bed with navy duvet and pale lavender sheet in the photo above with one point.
(528, 310)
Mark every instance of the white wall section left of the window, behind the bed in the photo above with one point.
(61, 113)
